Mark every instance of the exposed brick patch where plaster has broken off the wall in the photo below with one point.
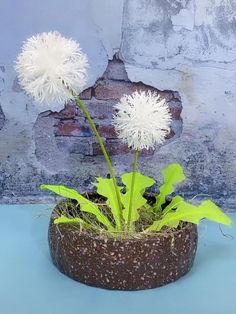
(67, 135)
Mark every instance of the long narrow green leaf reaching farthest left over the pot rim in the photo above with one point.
(85, 205)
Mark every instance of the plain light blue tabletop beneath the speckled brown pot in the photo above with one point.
(30, 284)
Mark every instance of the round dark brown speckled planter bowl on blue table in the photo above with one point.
(131, 264)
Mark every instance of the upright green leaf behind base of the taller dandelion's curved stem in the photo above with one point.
(105, 187)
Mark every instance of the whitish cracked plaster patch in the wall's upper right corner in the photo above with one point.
(154, 36)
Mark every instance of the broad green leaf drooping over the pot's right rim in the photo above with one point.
(191, 213)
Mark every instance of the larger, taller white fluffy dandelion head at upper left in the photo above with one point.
(48, 64)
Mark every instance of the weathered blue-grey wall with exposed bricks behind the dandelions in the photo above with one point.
(184, 48)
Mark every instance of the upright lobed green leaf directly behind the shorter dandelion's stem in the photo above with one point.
(141, 183)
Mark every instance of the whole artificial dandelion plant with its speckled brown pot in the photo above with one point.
(118, 237)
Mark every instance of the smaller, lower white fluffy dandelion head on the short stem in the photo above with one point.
(142, 120)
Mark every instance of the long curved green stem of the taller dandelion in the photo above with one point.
(82, 106)
